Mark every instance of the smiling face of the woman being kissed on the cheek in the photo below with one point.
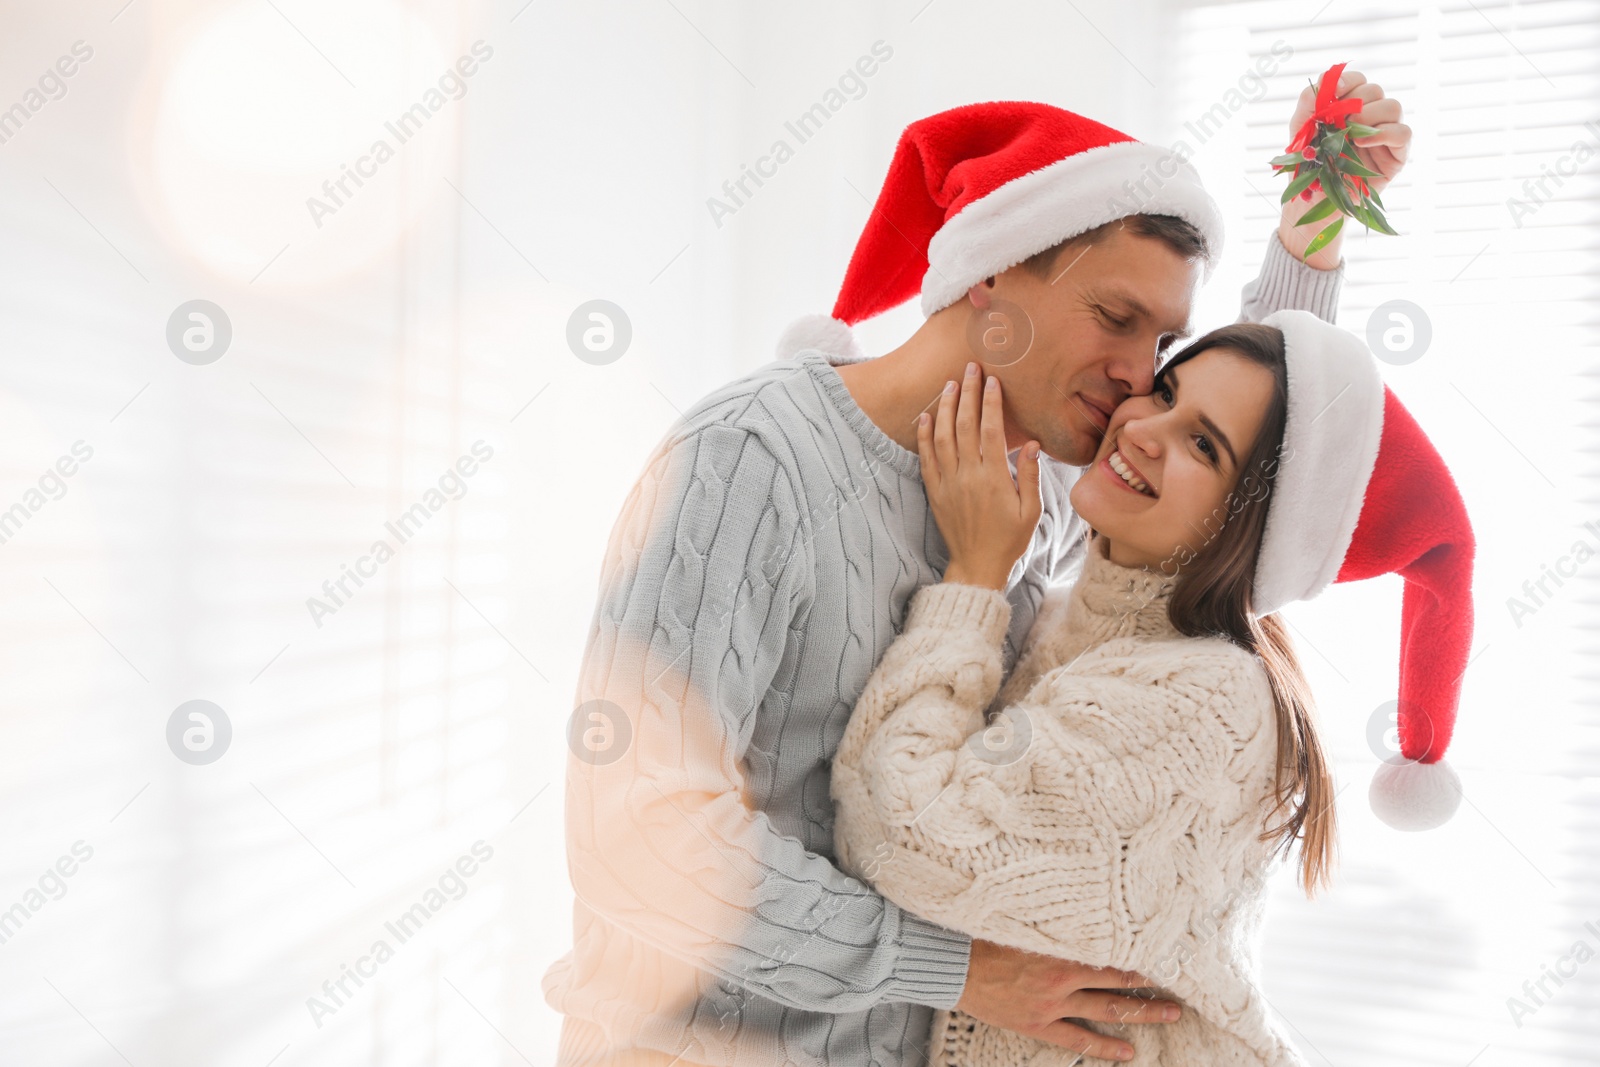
(1162, 476)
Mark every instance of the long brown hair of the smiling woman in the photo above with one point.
(1212, 597)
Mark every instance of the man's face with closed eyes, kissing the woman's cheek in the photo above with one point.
(1100, 321)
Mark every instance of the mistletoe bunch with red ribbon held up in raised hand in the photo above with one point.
(1322, 158)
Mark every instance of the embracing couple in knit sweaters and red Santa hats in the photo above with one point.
(951, 714)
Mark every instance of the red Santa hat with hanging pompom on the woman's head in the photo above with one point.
(1361, 492)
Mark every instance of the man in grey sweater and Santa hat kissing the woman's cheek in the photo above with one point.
(767, 556)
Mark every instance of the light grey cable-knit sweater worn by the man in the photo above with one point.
(759, 570)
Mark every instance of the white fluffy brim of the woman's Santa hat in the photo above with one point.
(1330, 449)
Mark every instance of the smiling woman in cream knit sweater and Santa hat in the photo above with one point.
(1154, 753)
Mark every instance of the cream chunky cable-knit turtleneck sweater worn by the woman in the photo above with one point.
(1108, 815)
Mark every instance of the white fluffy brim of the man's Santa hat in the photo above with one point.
(1065, 199)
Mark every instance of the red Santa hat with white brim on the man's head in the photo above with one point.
(982, 188)
